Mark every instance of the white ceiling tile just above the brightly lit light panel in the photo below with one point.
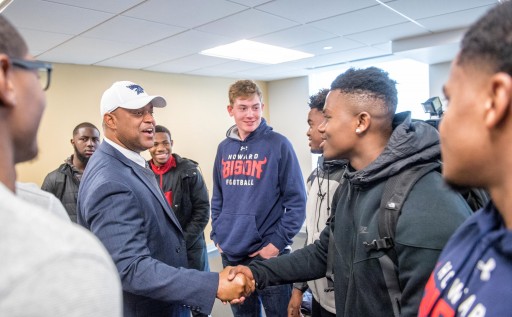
(247, 24)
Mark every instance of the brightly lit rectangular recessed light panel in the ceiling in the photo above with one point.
(254, 52)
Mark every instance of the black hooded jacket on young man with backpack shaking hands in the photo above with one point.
(429, 216)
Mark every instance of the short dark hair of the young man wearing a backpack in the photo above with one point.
(372, 82)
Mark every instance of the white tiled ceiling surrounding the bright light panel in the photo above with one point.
(167, 35)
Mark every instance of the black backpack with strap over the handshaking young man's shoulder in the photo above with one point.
(394, 195)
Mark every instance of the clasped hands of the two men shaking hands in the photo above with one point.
(235, 284)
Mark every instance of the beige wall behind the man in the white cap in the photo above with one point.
(196, 113)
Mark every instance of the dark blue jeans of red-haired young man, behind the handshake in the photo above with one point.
(275, 299)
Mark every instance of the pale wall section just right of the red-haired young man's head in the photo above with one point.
(288, 115)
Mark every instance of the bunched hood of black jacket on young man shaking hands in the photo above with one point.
(411, 143)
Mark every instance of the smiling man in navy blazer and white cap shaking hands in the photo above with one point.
(121, 203)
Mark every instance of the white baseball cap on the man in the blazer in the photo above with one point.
(128, 95)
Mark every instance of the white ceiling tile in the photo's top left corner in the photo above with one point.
(57, 18)
